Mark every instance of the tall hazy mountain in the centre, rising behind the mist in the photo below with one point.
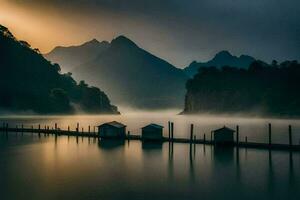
(131, 75)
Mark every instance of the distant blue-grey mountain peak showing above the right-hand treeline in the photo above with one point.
(223, 58)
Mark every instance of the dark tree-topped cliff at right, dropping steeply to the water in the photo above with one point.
(261, 89)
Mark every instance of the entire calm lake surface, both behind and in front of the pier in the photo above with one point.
(67, 168)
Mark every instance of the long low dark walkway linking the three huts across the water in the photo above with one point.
(192, 140)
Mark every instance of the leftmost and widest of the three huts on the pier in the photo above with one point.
(112, 129)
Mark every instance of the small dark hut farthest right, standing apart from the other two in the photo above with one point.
(224, 136)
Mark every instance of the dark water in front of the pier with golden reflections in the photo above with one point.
(52, 162)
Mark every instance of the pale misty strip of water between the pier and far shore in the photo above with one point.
(255, 128)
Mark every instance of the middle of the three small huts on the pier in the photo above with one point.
(152, 132)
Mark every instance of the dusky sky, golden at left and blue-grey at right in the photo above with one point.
(178, 31)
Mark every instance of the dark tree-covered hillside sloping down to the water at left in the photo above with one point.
(31, 83)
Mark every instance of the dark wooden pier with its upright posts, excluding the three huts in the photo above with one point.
(191, 140)
